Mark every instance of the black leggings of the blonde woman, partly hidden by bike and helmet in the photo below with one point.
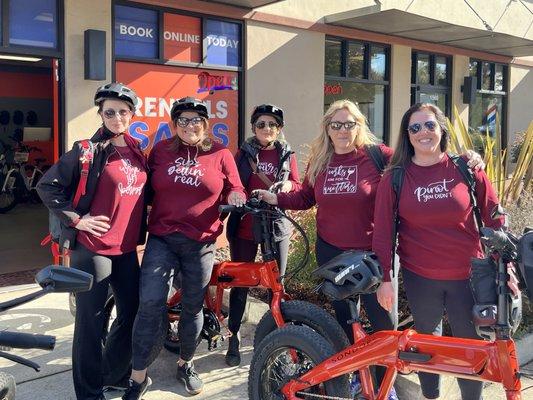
(379, 318)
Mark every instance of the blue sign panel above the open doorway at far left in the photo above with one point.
(33, 23)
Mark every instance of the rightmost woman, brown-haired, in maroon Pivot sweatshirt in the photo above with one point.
(437, 233)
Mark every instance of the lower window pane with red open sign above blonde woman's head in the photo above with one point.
(369, 97)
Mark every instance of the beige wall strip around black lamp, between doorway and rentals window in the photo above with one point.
(81, 117)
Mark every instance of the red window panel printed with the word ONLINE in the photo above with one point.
(182, 38)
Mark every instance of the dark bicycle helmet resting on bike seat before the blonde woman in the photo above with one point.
(349, 274)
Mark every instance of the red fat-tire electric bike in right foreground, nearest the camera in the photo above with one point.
(295, 362)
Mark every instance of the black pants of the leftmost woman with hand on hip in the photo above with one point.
(91, 367)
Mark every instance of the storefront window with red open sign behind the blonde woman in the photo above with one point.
(364, 80)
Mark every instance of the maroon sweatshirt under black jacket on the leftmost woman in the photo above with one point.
(119, 196)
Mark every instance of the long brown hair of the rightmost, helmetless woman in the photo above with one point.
(404, 149)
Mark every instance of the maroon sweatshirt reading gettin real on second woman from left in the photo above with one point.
(188, 186)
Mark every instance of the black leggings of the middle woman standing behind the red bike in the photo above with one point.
(245, 251)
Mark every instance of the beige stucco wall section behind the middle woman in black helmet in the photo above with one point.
(286, 67)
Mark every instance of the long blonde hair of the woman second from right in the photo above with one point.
(322, 147)
